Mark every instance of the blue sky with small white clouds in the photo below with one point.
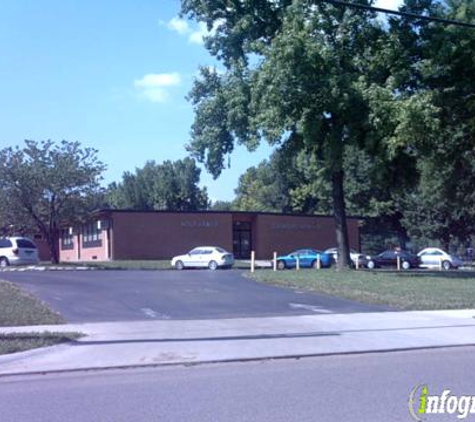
(110, 74)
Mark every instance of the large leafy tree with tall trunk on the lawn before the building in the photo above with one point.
(312, 75)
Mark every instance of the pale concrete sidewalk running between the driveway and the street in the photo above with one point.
(145, 343)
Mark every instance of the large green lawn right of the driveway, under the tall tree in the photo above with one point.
(420, 290)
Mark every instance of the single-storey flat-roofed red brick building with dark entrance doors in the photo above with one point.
(125, 234)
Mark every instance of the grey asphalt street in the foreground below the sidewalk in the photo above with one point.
(356, 388)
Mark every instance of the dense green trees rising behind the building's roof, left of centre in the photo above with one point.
(166, 186)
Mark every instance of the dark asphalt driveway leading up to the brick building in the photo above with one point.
(95, 296)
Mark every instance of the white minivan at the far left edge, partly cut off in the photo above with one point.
(17, 251)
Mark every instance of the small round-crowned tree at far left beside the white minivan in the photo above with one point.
(46, 186)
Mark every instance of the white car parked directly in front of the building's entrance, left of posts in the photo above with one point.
(211, 257)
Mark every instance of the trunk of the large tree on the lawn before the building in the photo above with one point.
(339, 212)
